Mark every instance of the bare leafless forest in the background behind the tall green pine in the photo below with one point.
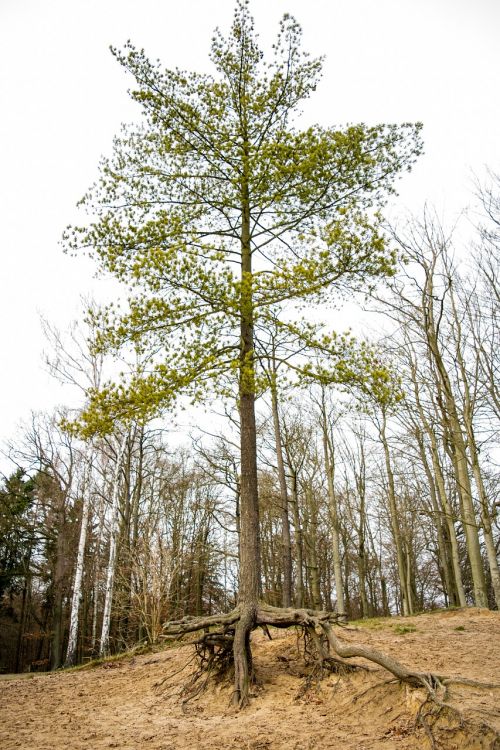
(366, 507)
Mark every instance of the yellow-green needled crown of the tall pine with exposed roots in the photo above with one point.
(218, 209)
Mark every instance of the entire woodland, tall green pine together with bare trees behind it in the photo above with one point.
(373, 452)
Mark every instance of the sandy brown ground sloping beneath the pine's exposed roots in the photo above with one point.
(120, 704)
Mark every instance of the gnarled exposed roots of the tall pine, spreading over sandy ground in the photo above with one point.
(224, 649)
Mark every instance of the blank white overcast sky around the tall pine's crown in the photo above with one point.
(63, 97)
